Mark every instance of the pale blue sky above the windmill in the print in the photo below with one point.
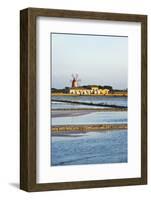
(98, 60)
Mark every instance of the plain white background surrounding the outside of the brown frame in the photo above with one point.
(9, 99)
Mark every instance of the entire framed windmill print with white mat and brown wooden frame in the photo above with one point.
(83, 92)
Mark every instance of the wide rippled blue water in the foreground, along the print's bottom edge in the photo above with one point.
(90, 148)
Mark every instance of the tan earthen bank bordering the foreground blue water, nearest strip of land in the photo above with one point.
(60, 129)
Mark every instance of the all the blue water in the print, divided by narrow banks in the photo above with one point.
(92, 147)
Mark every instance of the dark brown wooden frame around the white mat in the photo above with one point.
(28, 82)
